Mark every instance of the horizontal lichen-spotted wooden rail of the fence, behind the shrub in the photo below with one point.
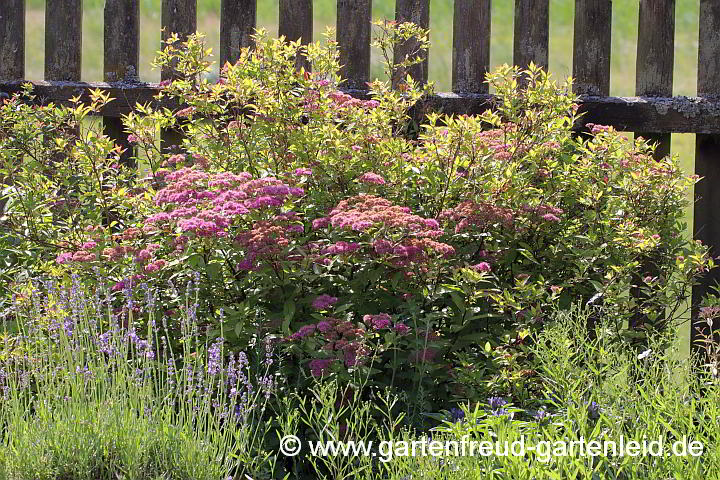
(647, 114)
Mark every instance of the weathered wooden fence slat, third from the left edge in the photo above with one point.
(121, 59)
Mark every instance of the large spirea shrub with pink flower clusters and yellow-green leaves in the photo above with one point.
(363, 246)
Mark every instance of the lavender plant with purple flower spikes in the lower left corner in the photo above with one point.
(87, 395)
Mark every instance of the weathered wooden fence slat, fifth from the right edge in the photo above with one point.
(471, 46)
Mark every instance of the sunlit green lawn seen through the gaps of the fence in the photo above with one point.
(625, 13)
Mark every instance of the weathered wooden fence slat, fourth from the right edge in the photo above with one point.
(532, 33)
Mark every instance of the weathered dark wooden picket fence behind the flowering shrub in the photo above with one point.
(654, 113)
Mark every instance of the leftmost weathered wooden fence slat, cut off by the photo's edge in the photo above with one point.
(12, 40)
